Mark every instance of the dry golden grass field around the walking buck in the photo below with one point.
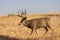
(10, 30)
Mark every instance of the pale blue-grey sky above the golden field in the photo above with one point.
(32, 6)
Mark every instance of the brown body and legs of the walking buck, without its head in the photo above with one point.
(35, 24)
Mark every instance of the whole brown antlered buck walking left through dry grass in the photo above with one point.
(35, 24)
